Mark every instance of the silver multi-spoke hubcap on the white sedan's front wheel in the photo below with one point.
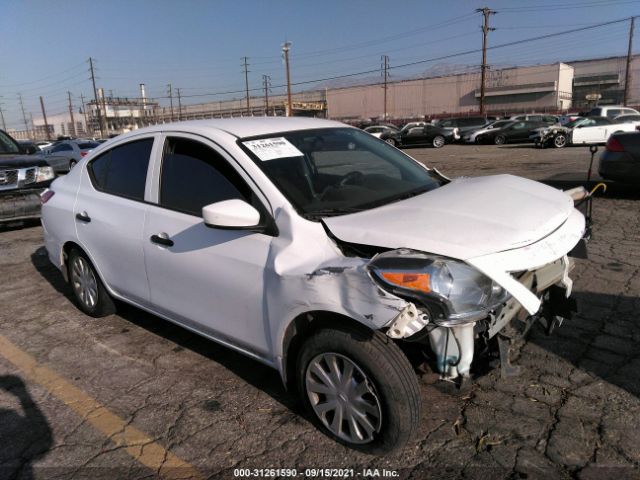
(343, 398)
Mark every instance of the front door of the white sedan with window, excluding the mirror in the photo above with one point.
(209, 279)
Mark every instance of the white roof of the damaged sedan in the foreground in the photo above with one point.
(241, 127)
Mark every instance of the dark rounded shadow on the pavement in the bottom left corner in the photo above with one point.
(25, 436)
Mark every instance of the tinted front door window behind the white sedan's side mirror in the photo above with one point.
(194, 175)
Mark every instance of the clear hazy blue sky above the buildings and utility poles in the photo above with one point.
(199, 45)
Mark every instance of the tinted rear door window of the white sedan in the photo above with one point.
(122, 170)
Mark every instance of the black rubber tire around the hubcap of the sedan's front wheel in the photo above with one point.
(388, 373)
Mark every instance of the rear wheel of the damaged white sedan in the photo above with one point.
(103, 304)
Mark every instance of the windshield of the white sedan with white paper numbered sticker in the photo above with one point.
(336, 171)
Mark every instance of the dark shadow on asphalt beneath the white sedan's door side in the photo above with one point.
(251, 371)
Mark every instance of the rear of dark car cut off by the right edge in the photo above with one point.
(620, 160)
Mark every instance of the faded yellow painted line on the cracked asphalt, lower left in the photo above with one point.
(135, 442)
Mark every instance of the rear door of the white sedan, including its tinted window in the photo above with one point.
(110, 213)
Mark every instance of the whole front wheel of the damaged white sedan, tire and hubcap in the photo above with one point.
(360, 389)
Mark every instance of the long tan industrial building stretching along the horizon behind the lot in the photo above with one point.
(558, 87)
